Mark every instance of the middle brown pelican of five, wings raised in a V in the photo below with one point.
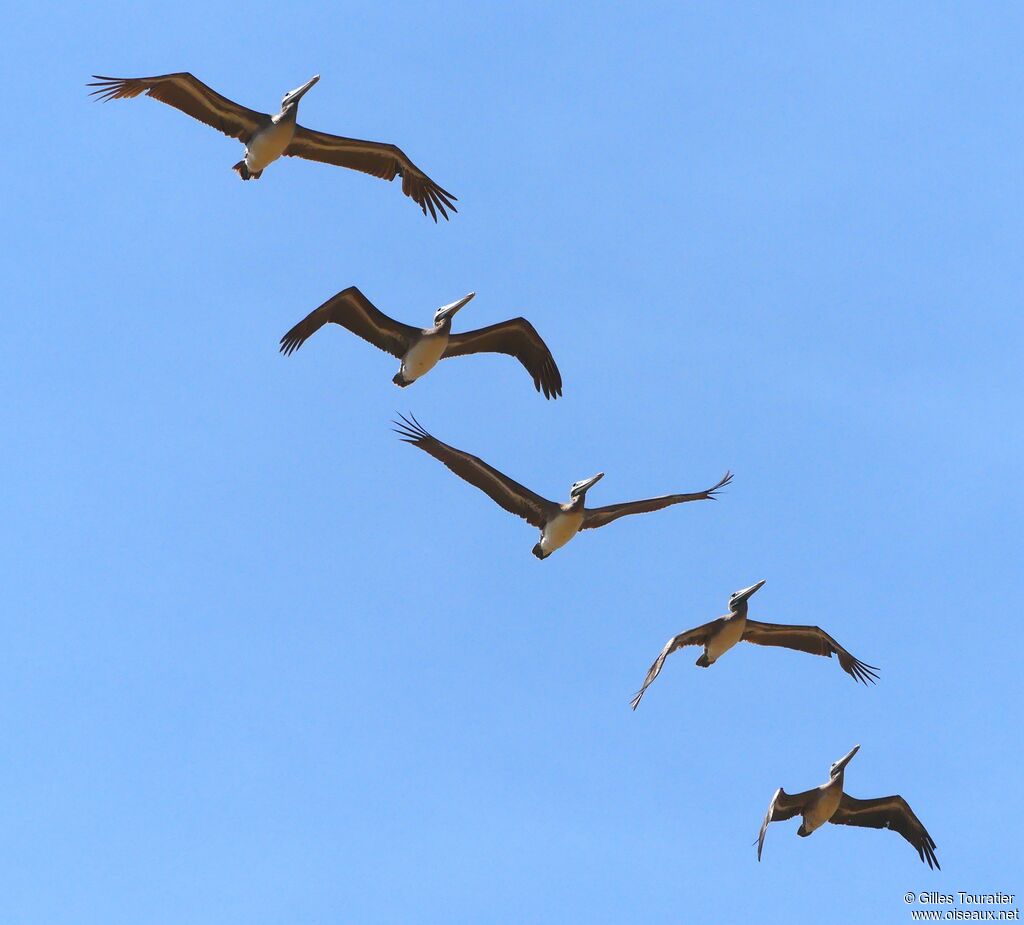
(558, 523)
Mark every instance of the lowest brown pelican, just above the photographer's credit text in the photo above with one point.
(828, 804)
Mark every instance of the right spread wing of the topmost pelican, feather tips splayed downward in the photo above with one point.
(377, 159)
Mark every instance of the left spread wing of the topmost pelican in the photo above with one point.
(188, 94)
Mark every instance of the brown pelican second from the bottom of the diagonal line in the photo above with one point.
(720, 636)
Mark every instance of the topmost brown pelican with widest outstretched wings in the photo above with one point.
(268, 138)
